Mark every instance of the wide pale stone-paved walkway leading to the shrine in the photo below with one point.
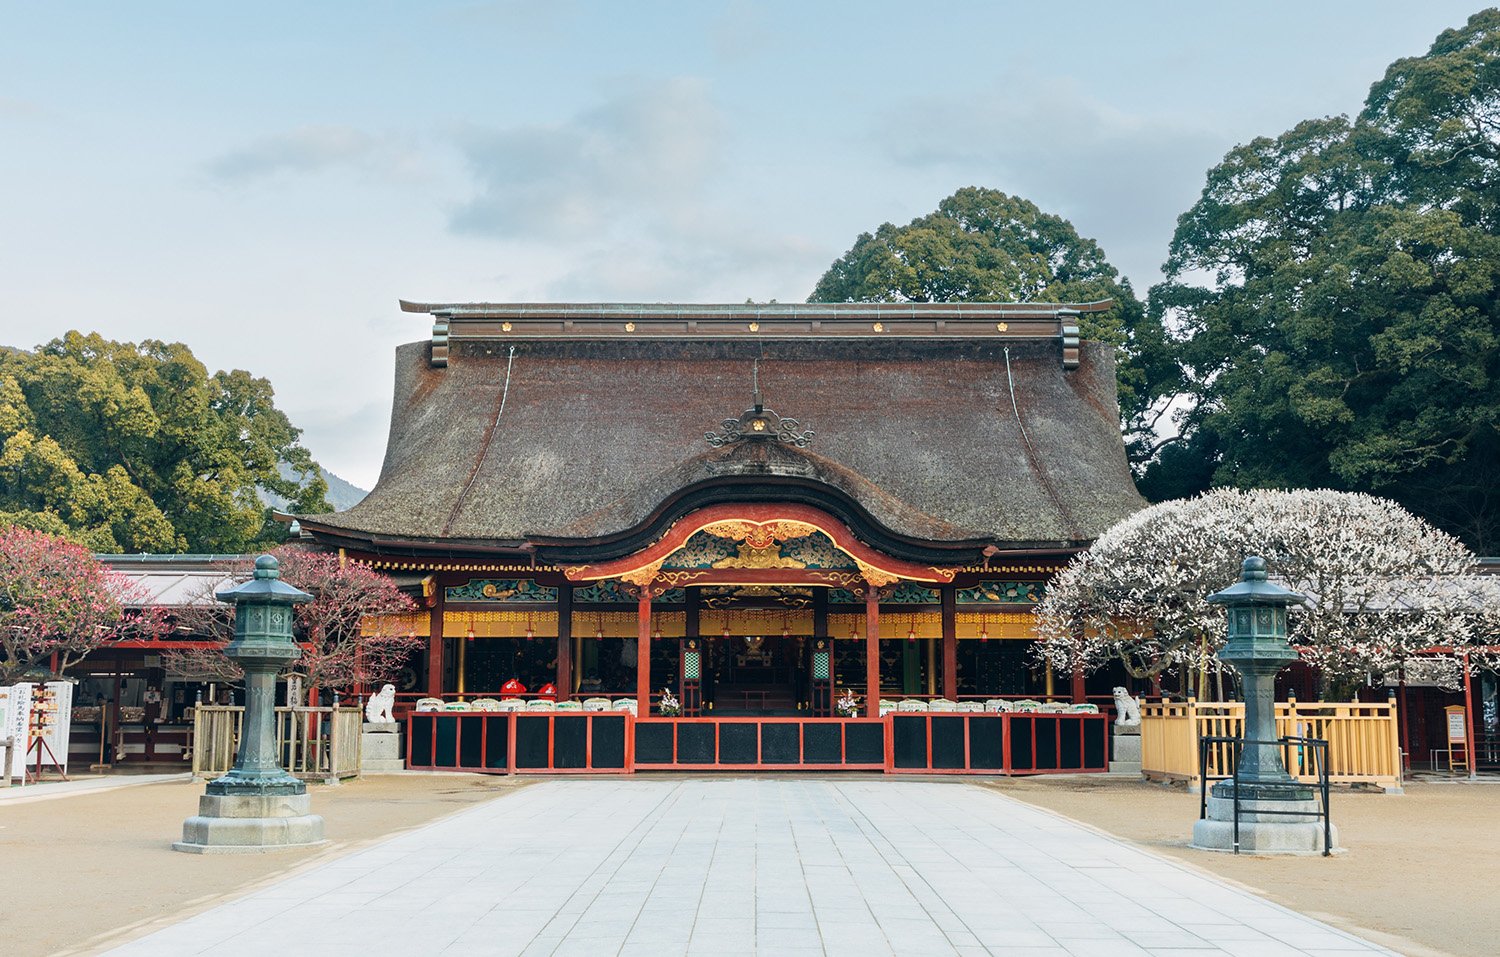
(751, 866)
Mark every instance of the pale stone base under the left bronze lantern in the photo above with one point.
(251, 824)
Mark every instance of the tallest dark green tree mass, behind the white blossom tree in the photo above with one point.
(1336, 299)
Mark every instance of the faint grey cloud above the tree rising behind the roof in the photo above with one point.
(1120, 178)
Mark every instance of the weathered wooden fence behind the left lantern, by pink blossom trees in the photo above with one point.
(314, 743)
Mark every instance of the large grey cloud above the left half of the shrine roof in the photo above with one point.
(641, 158)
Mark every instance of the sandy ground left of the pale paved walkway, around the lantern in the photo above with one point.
(89, 871)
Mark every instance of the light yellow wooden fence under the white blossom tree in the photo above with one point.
(1364, 743)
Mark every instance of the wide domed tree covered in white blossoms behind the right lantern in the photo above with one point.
(1382, 586)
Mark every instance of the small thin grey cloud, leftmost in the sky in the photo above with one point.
(307, 149)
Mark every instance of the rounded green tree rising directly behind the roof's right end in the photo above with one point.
(982, 245)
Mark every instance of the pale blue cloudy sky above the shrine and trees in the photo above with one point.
(263, 182)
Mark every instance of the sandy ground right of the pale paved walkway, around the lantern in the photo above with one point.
(1420, 875)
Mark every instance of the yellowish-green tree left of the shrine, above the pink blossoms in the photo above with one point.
(137, 448)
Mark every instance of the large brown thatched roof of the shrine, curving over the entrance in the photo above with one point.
(602, 440)
